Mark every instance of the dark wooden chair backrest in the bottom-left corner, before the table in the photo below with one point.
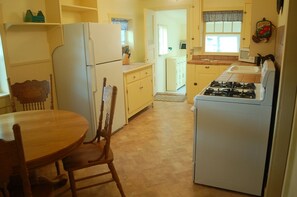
(13, 162)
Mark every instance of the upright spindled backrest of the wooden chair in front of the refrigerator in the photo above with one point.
(106, 115)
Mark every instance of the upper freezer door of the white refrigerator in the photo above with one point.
(104, 43)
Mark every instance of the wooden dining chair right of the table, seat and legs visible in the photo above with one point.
(97, 151)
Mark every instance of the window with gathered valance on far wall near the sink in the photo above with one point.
(222, 31)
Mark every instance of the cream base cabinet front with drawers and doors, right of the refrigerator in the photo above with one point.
(138, 90)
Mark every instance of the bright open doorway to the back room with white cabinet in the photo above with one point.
(175, 22)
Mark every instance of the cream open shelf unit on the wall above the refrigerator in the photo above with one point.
(78, 11)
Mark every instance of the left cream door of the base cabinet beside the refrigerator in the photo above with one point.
(134, 97)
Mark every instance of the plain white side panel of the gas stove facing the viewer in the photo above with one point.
(231, 144)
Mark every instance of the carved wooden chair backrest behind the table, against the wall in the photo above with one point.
(31, 94)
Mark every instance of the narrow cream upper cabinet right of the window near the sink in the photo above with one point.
(247, 21)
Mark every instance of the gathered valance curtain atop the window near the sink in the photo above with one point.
(214, 16)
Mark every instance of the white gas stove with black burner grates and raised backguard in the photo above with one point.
(232, 124)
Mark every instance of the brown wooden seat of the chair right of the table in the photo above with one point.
(81, 156)
